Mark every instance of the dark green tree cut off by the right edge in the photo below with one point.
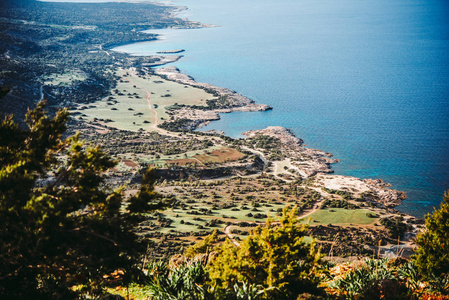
(432, 254)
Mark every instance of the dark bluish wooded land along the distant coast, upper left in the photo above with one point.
(44, 40)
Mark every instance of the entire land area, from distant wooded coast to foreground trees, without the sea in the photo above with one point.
(119, 194)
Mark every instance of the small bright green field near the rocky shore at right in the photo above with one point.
(341, 216)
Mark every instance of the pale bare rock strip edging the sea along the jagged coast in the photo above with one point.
(306, 162)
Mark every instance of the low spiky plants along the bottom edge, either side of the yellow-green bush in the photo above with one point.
(371, 279)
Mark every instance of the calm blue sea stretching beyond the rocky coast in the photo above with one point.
(365, 80)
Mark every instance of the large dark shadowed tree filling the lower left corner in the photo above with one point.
(60, 226)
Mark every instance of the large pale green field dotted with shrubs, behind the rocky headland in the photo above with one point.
(136, 102)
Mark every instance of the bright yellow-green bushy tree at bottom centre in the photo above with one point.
(275, 256)
